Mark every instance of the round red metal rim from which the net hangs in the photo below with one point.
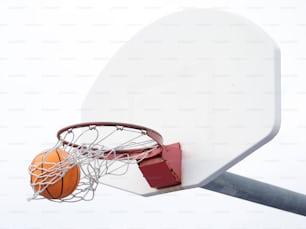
(151, 133)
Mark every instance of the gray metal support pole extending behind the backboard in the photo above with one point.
(258, 192)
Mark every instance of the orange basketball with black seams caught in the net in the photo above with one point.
(41, 174)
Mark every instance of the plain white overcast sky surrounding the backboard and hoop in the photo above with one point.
(51, 53)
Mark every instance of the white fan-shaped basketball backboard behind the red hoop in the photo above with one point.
(205, 78)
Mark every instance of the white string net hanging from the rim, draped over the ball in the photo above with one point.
(98, 151)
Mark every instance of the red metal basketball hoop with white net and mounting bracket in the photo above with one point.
(100, 149)
